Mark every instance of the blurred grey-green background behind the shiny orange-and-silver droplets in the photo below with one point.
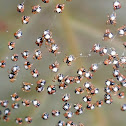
(76, 30)
